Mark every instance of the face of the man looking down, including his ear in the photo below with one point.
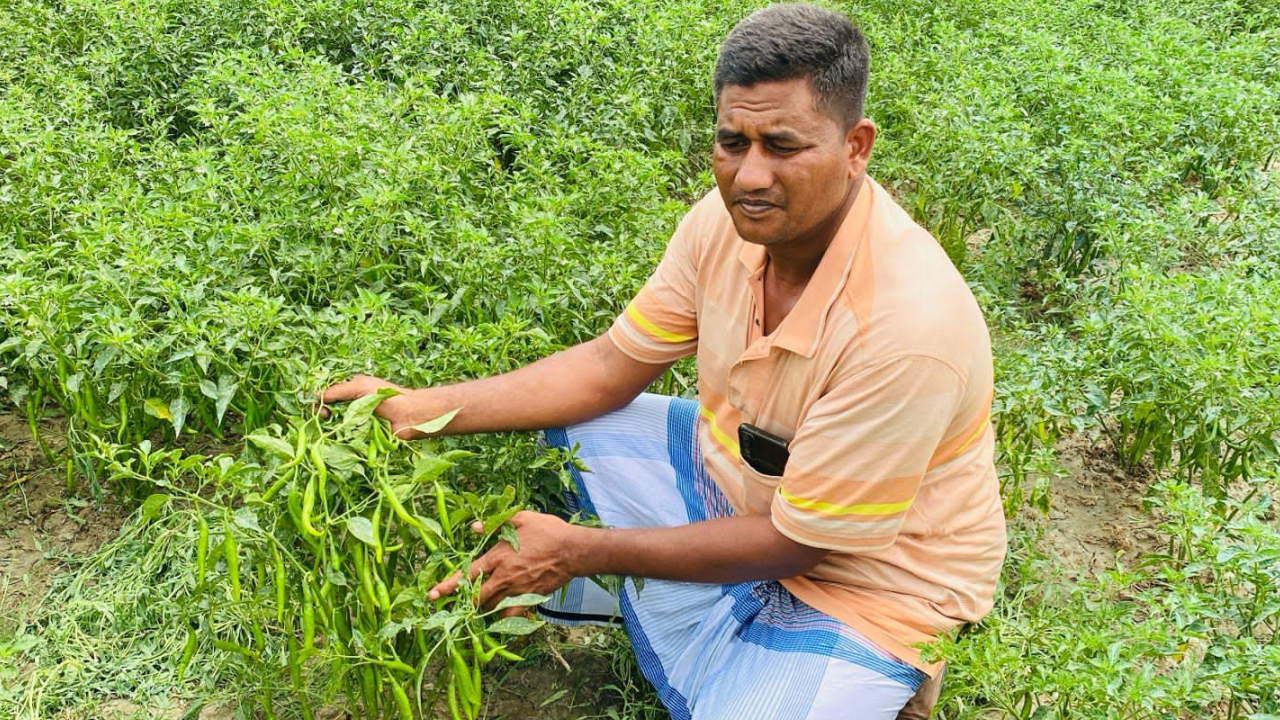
(783, 166)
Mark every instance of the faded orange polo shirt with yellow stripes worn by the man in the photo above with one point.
(881, 381)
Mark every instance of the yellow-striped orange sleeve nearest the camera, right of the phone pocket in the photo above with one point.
(862, 452)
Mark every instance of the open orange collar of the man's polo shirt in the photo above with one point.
(802, 330)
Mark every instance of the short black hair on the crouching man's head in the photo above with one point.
(798, 40)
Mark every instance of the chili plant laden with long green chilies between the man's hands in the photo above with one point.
(321, 559)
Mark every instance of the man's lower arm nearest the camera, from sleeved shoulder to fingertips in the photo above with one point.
(857, 464)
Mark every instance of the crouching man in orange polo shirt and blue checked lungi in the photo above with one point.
(831, 500)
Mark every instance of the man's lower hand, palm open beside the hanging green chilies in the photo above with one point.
(546, 562)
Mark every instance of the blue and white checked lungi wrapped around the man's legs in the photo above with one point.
(742, 651)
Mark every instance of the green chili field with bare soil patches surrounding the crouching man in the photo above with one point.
(209, 212)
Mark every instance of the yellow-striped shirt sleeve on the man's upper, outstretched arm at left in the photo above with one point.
(661, 323)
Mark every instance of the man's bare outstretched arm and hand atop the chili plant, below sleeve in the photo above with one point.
(569, 388)
